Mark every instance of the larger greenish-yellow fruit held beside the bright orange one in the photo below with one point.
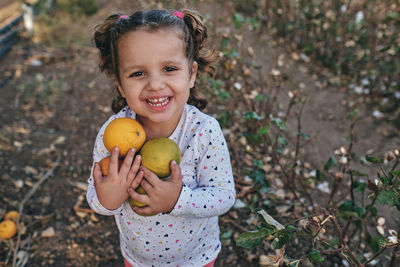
(157, 155)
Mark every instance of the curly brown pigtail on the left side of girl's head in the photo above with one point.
(104, 38)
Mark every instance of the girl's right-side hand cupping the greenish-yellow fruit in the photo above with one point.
(161, 196)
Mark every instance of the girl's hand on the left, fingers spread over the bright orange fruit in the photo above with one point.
(112, 190)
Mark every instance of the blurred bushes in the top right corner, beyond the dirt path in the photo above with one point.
(357, 42)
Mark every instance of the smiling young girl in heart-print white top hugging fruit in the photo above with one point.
(154, 58)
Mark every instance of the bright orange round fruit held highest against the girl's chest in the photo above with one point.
(125, 133)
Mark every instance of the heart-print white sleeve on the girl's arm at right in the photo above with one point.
(213, 193)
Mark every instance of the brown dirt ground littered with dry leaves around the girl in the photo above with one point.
(50, 113)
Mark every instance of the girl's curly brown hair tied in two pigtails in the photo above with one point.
(194, 32)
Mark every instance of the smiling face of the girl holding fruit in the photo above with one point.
(155, 76)
